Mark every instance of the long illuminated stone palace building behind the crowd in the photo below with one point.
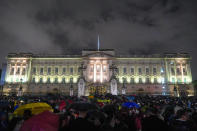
(98, 72)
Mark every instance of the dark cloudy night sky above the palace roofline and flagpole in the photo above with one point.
(128, 26)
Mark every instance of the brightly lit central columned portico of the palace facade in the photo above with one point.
(96, 71)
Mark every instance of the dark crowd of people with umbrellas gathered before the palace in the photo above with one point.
(106, 113)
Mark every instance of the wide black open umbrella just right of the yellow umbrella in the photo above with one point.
(83, 106)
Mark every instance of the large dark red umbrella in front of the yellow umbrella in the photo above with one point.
(45, 121)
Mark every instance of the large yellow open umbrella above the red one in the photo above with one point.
(35, 108)
